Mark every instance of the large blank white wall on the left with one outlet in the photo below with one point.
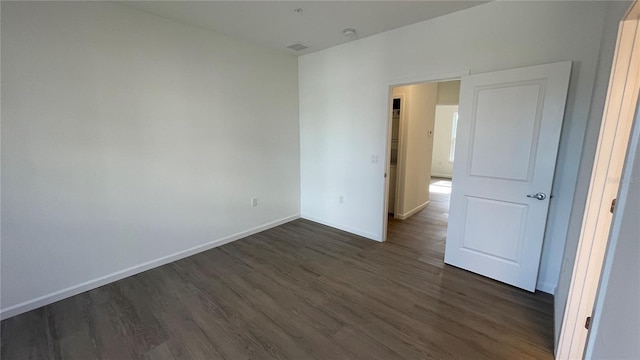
(128, 139)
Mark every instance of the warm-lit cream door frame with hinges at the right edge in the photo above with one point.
(613, 142)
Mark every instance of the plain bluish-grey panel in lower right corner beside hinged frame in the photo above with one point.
(615, 331)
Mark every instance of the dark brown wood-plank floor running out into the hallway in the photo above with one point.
(298, 291)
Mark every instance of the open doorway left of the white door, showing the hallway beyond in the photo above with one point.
(421, 153)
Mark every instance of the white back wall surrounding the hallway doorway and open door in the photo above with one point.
(344, 98)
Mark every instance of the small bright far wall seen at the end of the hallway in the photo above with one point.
(441, 166)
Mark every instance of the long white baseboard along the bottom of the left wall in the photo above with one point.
(103, 280)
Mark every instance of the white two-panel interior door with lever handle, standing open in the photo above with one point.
(508, 132)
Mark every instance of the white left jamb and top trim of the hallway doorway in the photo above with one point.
(427, 78)
